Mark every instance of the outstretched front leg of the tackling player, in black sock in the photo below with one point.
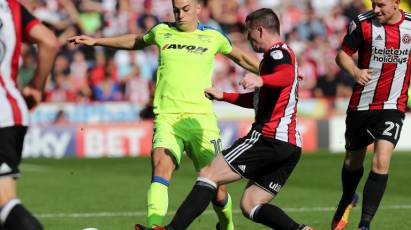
(204, 190)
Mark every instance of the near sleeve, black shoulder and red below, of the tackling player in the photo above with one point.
(283, 71)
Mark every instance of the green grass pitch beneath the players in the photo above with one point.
(110, 194)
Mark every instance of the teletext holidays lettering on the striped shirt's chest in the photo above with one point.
(390, 55)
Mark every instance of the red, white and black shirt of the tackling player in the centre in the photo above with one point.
(275, 103)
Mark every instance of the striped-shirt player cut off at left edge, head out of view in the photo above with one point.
(18, 25)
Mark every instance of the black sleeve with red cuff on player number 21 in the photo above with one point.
(353, 39)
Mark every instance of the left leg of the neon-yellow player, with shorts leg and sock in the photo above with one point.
(165, 158)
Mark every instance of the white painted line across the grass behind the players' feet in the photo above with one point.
(113, 214)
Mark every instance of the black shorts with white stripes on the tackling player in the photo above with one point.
(265, 161)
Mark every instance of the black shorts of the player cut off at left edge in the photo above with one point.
(11, 146)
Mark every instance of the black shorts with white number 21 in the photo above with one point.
(364, 127)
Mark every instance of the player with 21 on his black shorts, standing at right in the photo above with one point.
(382, 38)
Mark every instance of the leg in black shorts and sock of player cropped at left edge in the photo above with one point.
(13, 215)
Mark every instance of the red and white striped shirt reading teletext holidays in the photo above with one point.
(386, 50)
